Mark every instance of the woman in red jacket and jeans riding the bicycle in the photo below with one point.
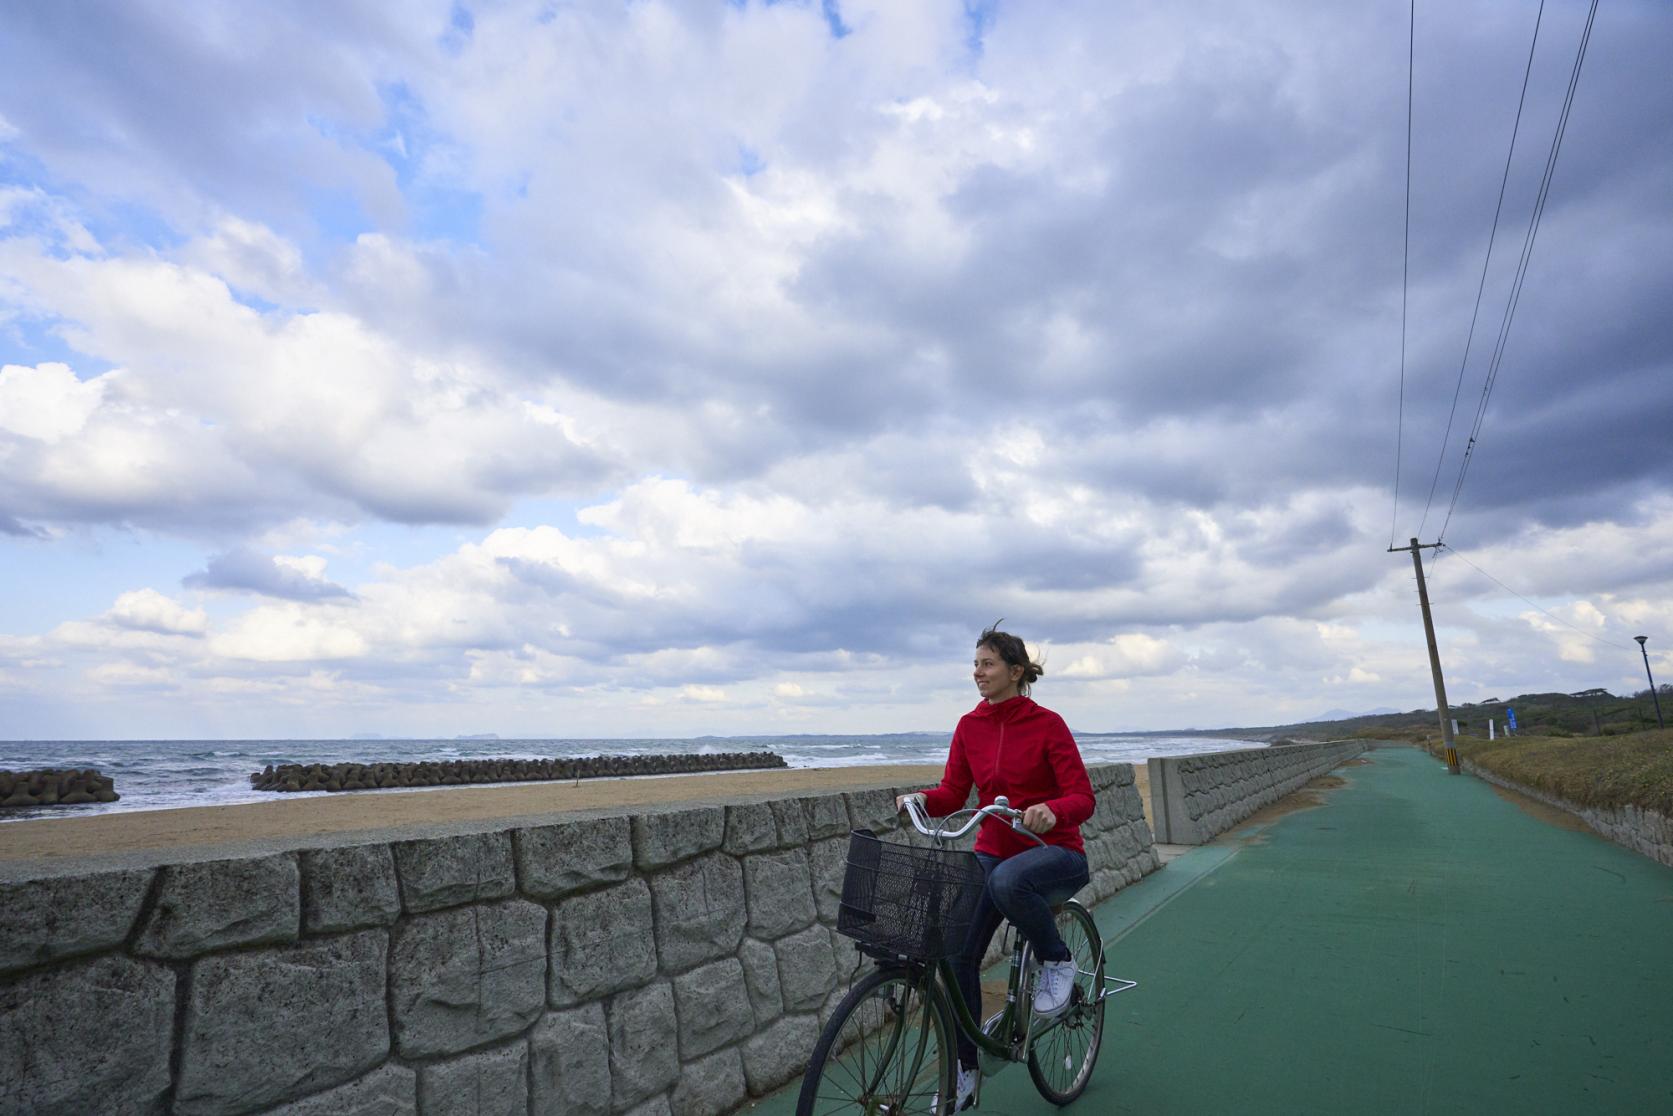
(1011, 747)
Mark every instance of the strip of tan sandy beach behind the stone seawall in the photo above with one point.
(287, 821)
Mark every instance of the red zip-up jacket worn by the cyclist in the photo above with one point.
(1025, 752)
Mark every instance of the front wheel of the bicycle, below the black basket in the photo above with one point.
(888, 1052)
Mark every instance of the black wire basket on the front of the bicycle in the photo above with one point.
(906, 901)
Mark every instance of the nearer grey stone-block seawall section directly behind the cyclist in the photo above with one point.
(673, 961)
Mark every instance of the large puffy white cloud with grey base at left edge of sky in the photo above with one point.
(235, 416)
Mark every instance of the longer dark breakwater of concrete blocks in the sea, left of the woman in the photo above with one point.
(339, 777)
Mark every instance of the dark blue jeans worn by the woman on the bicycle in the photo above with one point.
(1021, 889)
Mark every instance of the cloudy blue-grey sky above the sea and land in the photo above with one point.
(680, 367)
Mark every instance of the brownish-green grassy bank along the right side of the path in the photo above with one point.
(1594, 772)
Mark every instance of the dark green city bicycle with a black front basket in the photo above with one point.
(889, 1047)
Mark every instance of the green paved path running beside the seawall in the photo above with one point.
(1416, 945)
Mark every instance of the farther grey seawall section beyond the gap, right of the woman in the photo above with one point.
(1197, 797)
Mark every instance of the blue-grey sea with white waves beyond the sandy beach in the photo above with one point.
(166, 774)
